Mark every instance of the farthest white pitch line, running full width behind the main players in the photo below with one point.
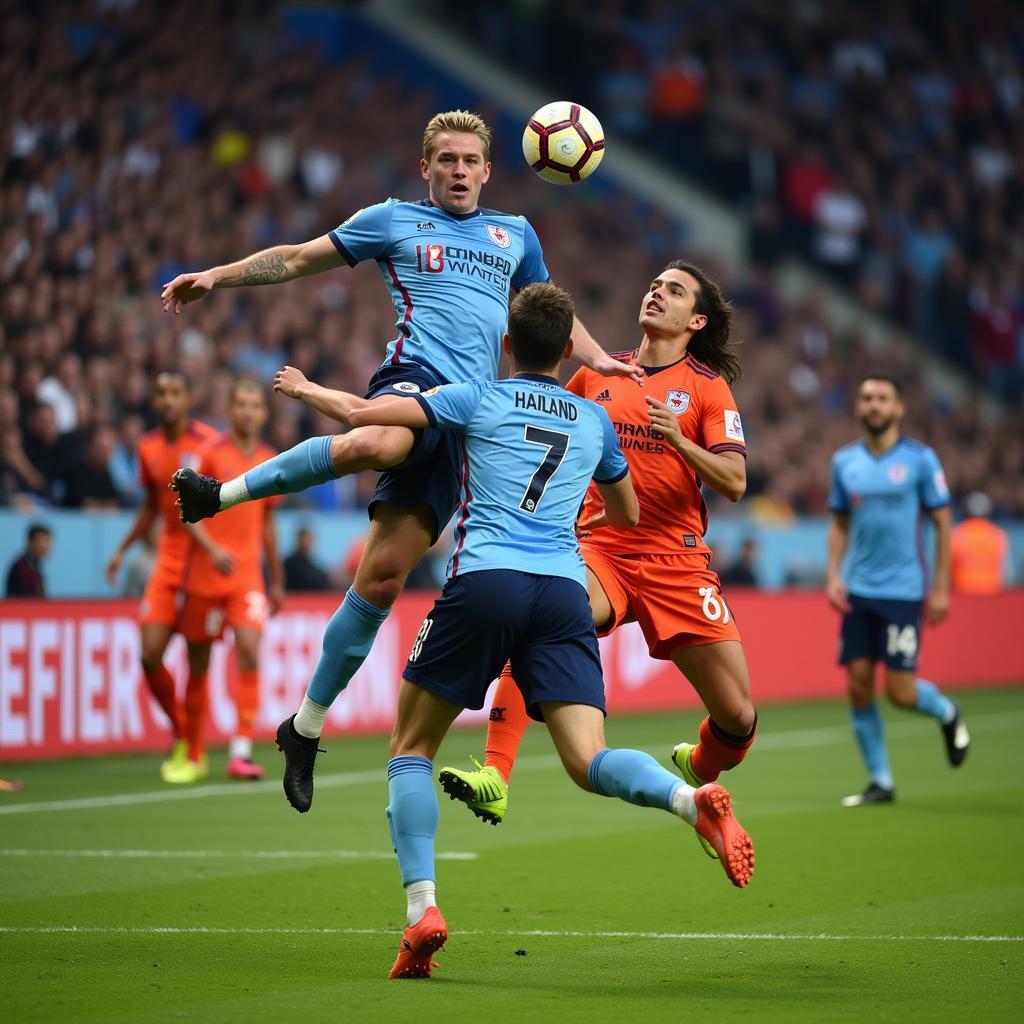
(828, 737)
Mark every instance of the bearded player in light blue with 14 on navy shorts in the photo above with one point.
(879, 578)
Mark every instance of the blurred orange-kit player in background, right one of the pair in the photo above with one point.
(225, 586)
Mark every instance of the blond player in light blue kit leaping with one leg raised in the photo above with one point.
(450, 268)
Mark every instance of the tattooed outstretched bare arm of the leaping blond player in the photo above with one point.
(271, 267)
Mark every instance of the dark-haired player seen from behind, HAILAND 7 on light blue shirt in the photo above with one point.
(517, 592)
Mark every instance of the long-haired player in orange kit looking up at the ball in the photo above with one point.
(678, 431)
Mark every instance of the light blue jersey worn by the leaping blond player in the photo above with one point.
(449, 276)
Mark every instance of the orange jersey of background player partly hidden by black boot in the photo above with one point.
(239, 530)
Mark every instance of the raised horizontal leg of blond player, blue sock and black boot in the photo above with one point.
(314, 461)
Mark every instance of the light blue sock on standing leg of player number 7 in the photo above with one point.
(412, 816)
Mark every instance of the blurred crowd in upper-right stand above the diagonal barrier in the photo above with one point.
(883, 141)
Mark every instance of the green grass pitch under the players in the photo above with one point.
(233, 908)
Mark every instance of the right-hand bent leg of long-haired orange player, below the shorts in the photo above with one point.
(718, 672)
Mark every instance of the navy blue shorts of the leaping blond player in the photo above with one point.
(432, 474)
